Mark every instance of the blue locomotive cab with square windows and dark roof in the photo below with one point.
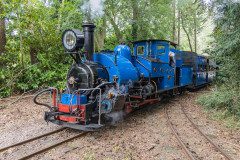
(153, 61)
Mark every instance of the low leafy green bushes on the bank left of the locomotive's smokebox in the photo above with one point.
(49, 71)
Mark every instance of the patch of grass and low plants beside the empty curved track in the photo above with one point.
(222, 105)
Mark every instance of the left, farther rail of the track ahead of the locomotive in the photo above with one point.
(31, 139)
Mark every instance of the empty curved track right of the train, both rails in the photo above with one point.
(183, 145)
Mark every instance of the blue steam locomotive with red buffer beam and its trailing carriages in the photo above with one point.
(103, 87)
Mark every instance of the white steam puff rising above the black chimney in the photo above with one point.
(93, 9)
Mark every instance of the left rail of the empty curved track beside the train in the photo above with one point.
(187, 152)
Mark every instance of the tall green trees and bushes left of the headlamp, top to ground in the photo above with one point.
(38, 25)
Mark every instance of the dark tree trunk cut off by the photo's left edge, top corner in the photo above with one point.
(2, 32)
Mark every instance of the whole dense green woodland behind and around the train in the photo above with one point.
(32, 56)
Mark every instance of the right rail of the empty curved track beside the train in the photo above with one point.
(205, 136)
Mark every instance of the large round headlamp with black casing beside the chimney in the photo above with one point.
(72, 40)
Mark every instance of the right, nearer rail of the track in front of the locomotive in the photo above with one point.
(52, 146)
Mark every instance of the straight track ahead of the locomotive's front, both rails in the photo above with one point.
(46, 148)
